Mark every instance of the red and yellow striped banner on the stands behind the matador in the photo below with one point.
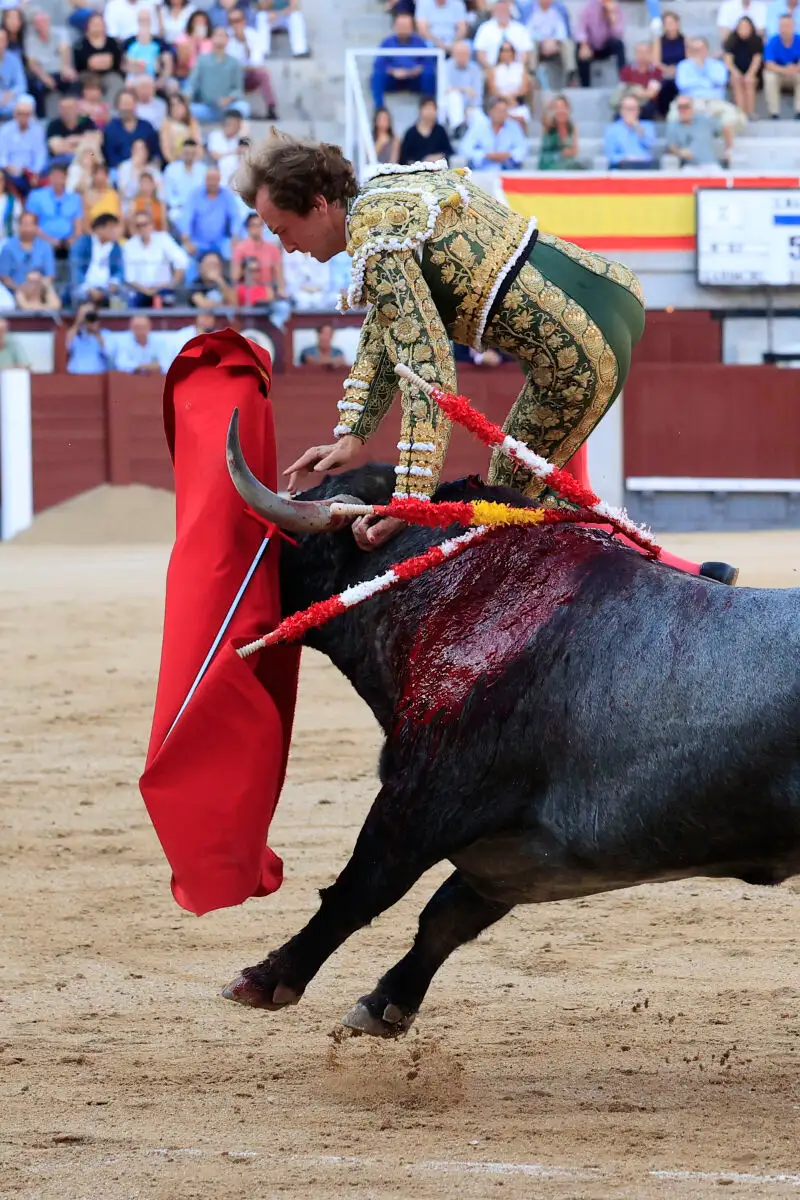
(655, 213)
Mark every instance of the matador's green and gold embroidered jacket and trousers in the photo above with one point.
(437, 260)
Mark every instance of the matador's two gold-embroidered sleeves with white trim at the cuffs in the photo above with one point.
(404, 326)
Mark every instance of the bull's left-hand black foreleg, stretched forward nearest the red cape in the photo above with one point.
(401, 839)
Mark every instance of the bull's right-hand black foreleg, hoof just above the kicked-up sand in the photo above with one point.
(454, 916)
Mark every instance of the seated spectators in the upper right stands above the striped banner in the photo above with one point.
(679, 95)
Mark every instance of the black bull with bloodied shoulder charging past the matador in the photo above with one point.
(562, 717)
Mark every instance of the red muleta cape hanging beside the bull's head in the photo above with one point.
(213, 785)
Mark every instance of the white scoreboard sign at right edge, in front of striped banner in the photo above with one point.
(749, 237)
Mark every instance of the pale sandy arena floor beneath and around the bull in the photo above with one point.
(645, 1045)
